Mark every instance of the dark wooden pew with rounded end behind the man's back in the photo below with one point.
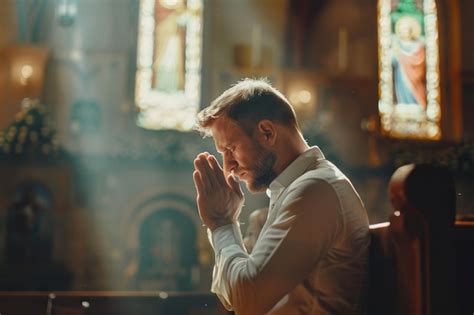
(421, 260)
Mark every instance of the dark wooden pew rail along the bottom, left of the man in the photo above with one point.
(109, 303)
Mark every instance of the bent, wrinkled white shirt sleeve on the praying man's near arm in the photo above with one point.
(285, 253)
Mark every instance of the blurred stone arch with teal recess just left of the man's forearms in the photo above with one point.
(179, 235)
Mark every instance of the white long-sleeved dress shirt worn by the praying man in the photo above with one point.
(312, 254)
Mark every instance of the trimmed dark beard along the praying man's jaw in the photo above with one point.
(263, 173)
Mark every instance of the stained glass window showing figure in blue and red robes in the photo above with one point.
(409, 91)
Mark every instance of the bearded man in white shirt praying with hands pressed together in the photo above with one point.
(311, 256)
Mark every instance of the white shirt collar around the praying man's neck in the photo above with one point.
(295, 169)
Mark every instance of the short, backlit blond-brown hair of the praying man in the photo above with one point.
(248, 102)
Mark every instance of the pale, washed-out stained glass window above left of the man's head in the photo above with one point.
(168, 79)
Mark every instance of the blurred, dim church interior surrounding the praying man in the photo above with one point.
(97, 104)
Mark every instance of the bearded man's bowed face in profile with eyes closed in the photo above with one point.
(243, 156)
